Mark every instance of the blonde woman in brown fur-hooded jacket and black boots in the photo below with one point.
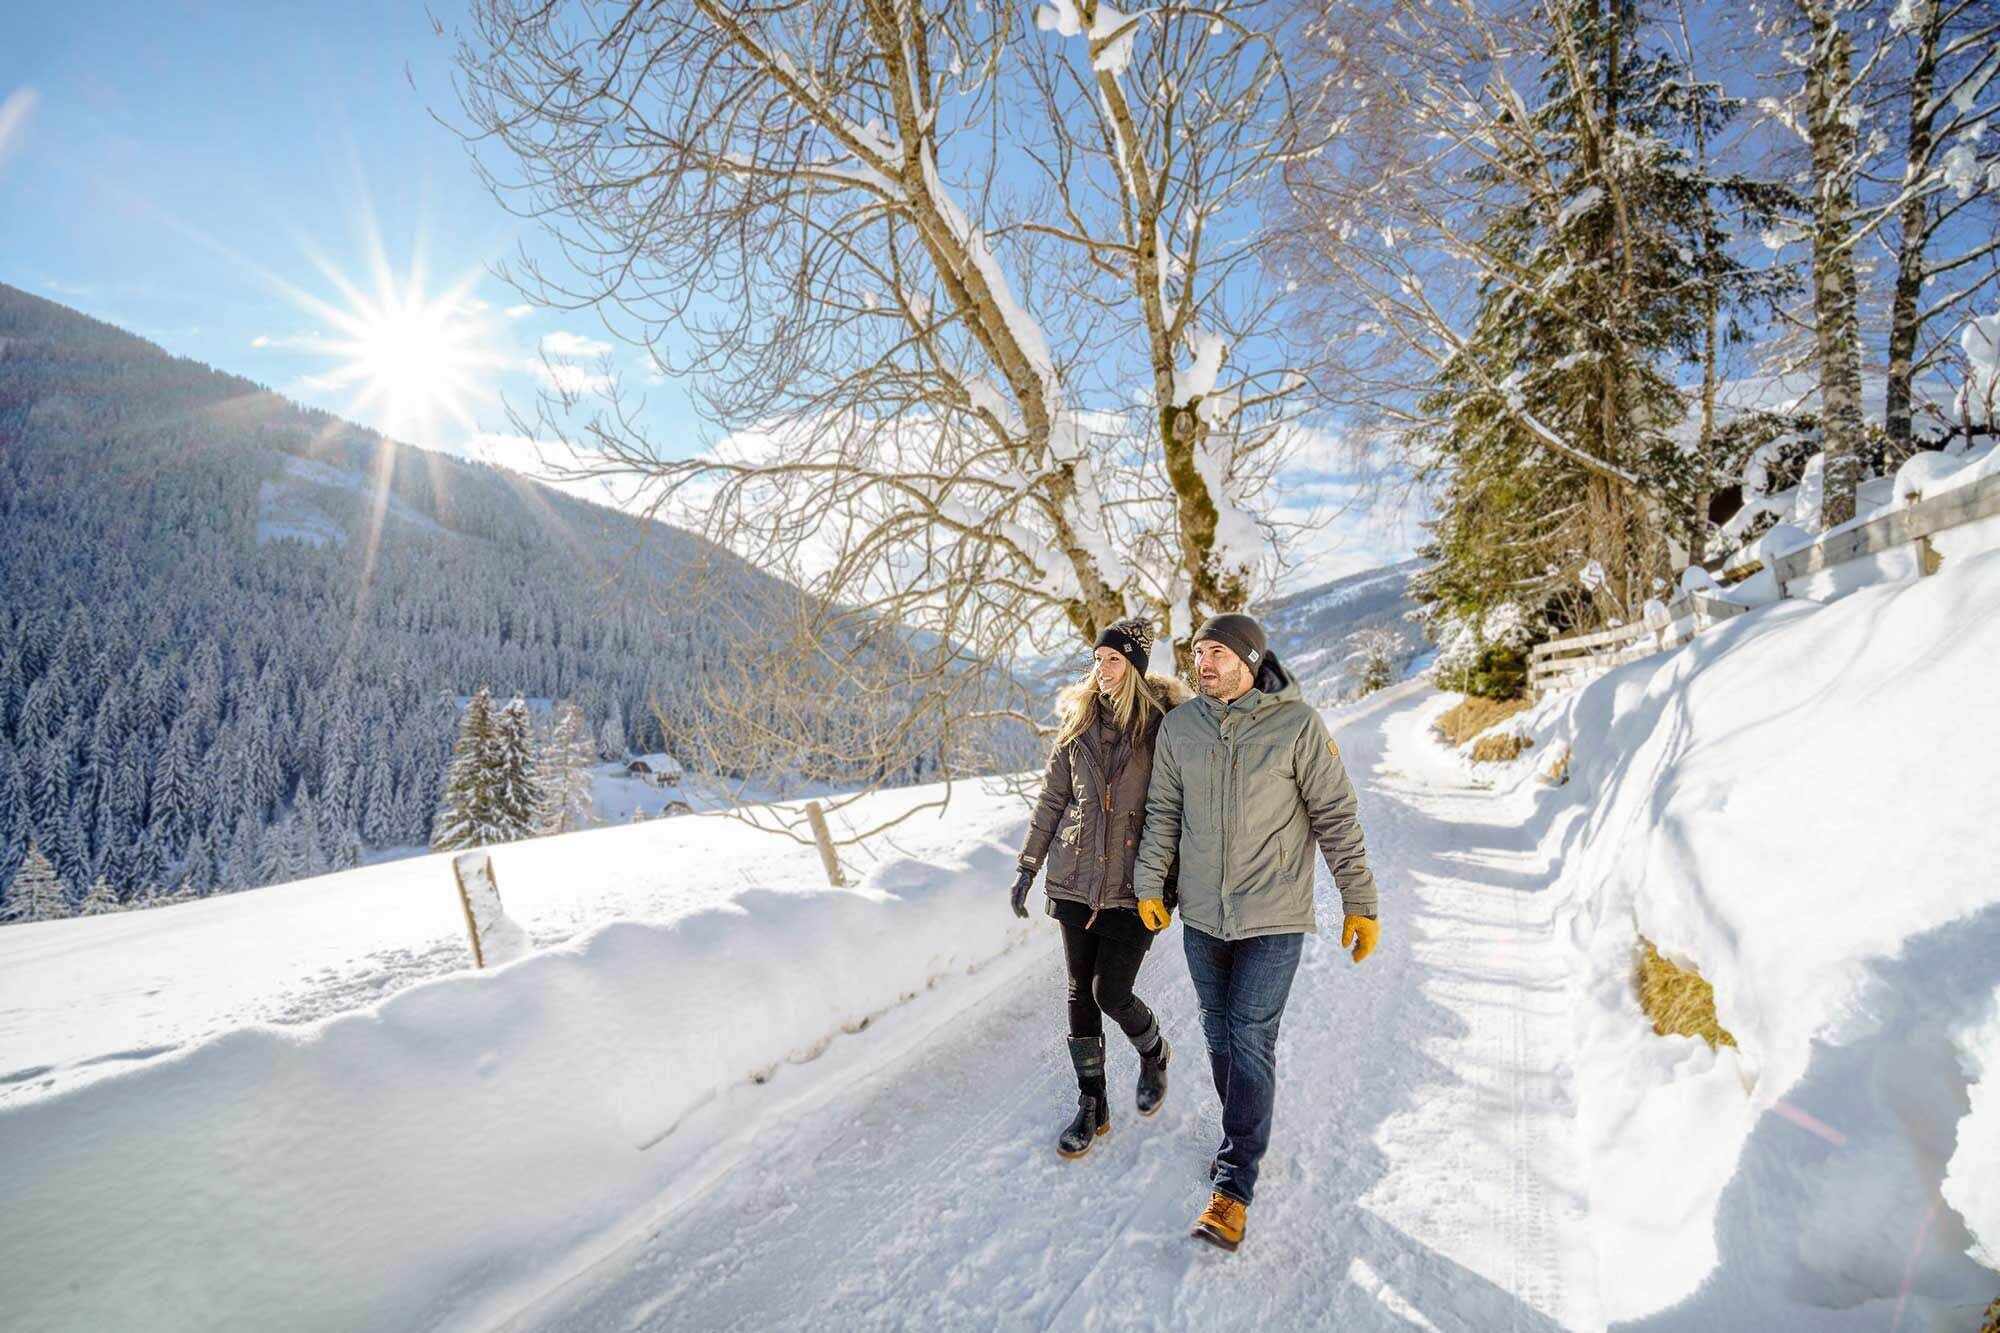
(1091, 810)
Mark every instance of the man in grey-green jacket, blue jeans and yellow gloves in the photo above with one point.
(1245, 782)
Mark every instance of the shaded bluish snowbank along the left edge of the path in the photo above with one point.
(393, 1166)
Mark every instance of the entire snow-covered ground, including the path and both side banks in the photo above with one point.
(719, 1096)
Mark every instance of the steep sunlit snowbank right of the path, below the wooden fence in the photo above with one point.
(1799, 806)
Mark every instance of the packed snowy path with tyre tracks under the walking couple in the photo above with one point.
(1421, 1174)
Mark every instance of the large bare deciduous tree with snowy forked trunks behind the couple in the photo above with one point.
(969, 301)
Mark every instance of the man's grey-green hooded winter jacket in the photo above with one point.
(1243, 792)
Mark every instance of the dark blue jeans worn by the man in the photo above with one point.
(1243, 988)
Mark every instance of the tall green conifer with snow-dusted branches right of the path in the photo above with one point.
(1595, 273)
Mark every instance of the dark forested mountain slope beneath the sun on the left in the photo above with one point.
(235, 631)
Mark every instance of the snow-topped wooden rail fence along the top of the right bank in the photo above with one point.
(1563, 661)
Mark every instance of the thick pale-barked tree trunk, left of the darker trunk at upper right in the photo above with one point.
(1833, 261)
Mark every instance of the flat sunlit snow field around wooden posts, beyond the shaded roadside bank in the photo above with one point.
(91, 998)
